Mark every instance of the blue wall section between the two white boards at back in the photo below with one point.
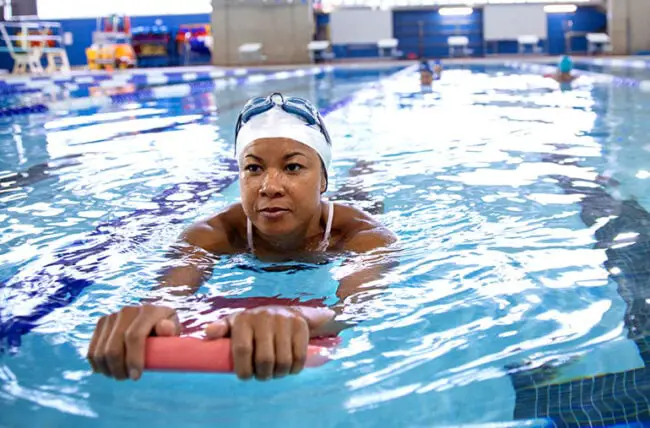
(435, 31)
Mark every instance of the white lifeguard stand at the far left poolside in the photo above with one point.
(27, 42)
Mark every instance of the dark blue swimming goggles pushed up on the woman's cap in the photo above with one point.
(292, 105)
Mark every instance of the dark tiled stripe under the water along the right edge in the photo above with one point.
(610, 398)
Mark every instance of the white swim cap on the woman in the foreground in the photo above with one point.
(277, 123)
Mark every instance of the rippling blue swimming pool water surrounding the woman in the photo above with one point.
(522, 211)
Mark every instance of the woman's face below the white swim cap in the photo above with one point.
(281, 182)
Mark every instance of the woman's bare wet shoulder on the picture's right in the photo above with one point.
(360, 231)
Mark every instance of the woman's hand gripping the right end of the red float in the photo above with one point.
(270, 341)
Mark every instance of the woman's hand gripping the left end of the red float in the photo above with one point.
(117, 347)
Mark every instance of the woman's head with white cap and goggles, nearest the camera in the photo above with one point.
(283, 150)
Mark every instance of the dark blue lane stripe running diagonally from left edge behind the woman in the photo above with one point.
(95, 244)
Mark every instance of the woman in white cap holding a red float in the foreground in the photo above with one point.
(283, 151)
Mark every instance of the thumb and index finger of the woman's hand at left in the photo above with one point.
(149, 319)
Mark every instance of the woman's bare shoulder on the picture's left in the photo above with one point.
(222, 233)
